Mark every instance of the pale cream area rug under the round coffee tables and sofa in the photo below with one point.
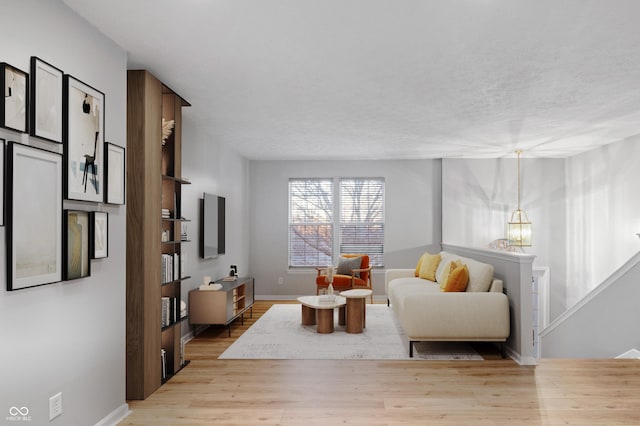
(279, 334)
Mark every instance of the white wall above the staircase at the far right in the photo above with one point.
(602, 214)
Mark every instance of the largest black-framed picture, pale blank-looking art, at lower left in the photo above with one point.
(34, 216)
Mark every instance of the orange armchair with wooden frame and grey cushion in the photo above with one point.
(346, 277)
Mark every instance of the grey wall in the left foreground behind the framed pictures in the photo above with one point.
(66, 337)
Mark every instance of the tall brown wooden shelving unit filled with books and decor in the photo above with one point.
(155, 266)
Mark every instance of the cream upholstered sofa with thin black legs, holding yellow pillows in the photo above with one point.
(481, 313)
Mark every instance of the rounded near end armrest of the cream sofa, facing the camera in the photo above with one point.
(456, 316)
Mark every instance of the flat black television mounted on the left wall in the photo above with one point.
(212, 235)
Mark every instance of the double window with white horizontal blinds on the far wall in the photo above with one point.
(359, 207)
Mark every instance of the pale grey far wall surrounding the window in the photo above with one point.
(412, 216)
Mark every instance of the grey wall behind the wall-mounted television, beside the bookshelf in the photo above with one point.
(215, 169)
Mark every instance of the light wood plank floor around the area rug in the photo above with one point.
(303, 392)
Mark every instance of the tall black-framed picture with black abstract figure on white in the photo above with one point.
(83, 141)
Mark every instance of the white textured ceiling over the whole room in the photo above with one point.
(372, 79)
